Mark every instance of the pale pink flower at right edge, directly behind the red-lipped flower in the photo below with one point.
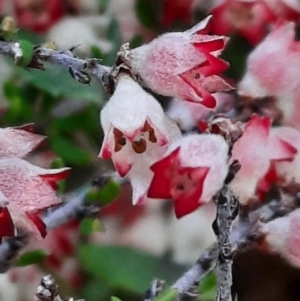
(288, 171)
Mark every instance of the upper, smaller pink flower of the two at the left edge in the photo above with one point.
(18, 141)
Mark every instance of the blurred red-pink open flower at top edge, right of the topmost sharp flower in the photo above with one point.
(249, 18)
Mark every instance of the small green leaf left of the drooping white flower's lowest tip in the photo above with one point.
(105, 195)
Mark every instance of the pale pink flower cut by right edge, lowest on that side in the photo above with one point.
(283, 237)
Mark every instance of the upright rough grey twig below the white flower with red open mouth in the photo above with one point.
(227, 209)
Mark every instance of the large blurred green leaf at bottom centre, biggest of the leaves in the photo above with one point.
(125, 268)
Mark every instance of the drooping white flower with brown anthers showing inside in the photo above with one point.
(137, 133)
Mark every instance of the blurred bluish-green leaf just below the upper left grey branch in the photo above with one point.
(56, 81)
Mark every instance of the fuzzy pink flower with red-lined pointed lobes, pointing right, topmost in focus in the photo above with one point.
(184, 65)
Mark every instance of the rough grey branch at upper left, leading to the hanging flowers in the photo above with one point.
(81, 70)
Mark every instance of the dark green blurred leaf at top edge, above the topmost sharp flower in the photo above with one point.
(148, 13)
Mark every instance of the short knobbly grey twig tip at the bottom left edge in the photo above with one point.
(48, 290)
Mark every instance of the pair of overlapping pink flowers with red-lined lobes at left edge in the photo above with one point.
(25, 189)
